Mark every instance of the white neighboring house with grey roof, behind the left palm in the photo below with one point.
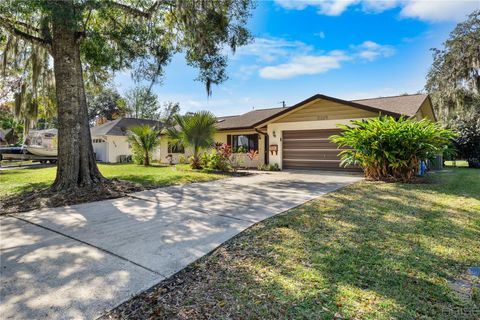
(110, 139)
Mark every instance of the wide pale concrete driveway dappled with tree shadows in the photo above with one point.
(77, 262)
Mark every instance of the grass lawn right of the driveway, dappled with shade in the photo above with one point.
(367, 251)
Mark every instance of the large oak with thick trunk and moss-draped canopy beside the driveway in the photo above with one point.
(90, 36)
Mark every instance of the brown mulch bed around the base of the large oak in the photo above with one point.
(45, 197)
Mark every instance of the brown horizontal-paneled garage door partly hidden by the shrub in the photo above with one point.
(311, 149)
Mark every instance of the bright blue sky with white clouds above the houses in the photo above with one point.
(348, 49)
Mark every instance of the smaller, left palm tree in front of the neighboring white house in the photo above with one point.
(144, 138)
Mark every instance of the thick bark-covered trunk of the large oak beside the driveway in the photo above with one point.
(76, 163)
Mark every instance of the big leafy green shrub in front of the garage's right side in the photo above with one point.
(391, 149)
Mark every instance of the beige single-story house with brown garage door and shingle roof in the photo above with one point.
(296, 137)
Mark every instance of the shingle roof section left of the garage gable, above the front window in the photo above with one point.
(246, 120)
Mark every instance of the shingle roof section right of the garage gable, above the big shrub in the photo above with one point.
(405, 104)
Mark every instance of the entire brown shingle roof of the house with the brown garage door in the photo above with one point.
(396, 105)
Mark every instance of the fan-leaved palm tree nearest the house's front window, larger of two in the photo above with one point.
(194, 130)
